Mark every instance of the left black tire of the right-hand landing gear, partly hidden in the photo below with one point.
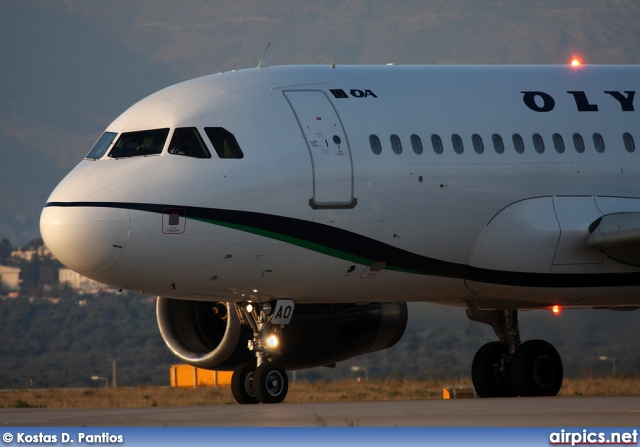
(487, 380)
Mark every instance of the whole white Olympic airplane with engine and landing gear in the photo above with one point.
(285, 215)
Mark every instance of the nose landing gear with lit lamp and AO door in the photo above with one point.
(264, 381)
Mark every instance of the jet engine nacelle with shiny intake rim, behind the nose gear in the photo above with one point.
(209, 335)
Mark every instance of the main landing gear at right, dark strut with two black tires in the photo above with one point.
(508, 367)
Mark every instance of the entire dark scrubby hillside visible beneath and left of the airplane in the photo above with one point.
(63, 342)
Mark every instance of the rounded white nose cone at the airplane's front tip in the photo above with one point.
(86, 225)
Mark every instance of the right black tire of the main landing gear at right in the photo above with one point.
(536, 369)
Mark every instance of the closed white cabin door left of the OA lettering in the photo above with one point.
(328, 148)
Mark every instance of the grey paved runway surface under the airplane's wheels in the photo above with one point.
(514, 412)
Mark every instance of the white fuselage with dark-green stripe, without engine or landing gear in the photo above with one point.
(310, 212)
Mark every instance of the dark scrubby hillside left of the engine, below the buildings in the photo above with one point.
(64, 343)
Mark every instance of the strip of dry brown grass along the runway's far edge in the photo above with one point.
(340, 391)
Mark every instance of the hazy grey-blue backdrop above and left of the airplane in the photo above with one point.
(71, 67)
